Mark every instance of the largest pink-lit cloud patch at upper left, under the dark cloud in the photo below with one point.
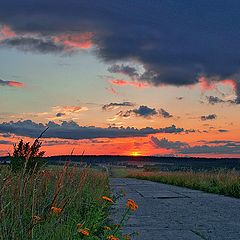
(81, 41)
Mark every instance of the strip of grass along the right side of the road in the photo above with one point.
(225, 183)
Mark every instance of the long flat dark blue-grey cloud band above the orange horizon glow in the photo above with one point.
(71, 130)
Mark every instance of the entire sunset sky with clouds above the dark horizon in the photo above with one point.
(121, 77)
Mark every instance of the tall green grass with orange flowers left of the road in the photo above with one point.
(56, 203)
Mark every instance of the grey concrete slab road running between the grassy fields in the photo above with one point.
(174, 213)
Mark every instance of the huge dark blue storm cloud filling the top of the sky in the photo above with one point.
(176, 41)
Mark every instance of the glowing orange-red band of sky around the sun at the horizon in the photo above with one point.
(117, 146)
